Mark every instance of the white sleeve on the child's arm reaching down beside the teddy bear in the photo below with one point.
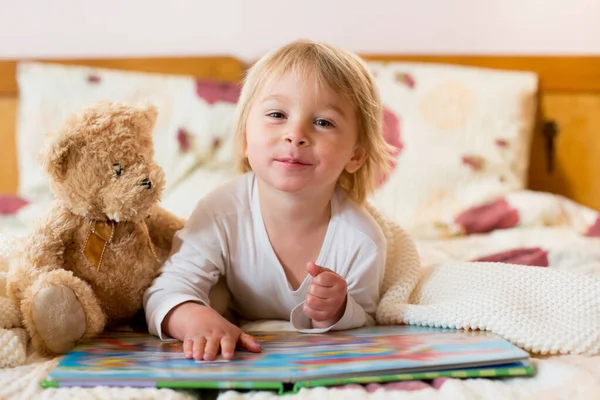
(194, 266)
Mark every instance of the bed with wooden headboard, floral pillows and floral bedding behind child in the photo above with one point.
(518, 134)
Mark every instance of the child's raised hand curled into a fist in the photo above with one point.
(326, 299)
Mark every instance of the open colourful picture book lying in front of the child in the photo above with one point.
(291, 360)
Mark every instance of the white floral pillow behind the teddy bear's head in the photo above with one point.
(193, 127)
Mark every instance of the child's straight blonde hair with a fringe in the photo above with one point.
(346, 74)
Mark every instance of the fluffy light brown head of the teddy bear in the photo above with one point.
(100, 162)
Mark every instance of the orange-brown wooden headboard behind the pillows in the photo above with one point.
(565, 153)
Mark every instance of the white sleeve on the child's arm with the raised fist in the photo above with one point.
(363, 279)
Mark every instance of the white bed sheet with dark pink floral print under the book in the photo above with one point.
(553, 233)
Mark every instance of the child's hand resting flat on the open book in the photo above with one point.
(205, 332)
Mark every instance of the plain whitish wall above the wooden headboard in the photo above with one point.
(247, 28)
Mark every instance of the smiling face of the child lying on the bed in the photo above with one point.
(299, 138)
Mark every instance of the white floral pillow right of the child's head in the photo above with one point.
(462, 137)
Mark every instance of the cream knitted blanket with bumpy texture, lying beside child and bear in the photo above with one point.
(541, 310)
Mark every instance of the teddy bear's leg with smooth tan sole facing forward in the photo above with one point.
(60, 309)
